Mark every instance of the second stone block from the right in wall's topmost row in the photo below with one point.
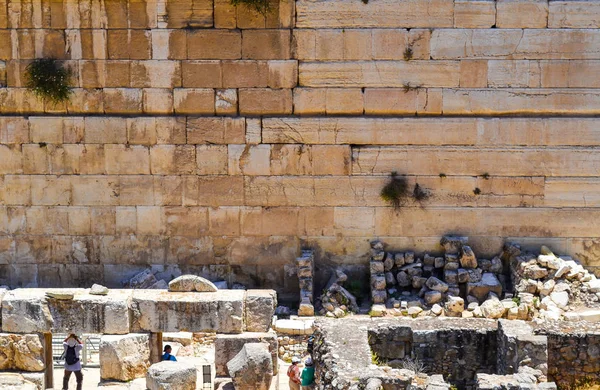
(522, 14)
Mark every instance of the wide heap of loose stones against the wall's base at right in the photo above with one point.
(458, 284)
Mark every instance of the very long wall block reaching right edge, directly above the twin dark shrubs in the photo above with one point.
(469, 161)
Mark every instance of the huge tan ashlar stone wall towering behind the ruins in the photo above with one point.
(209, 139)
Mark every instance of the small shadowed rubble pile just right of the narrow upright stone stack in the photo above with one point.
(336, 301)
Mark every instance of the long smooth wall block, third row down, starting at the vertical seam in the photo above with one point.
(380, 74)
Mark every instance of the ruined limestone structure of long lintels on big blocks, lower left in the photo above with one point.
(131, 323)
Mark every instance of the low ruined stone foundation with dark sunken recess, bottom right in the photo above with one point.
(445, 353)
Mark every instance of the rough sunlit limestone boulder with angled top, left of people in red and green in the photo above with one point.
(252, 367)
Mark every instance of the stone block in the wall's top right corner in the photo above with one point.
(573, 14)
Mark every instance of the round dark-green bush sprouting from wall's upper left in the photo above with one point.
(48, 80)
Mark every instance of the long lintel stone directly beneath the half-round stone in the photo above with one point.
(162, 311)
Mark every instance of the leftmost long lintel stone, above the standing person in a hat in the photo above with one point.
(30, 310)
